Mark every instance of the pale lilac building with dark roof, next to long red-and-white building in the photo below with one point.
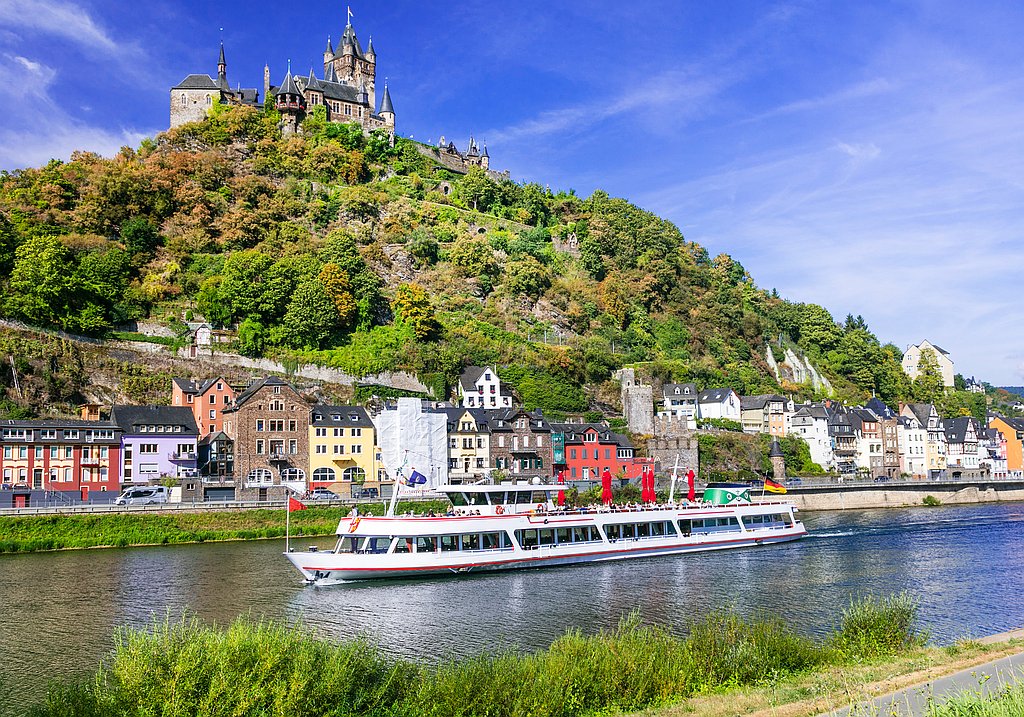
(159, 443)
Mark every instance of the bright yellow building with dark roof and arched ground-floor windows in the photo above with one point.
(344, 450)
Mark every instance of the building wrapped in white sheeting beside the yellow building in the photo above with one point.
(412, 435)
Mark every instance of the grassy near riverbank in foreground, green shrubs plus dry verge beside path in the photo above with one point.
(726, 665)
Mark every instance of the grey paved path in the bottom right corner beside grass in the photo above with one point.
(914, 702)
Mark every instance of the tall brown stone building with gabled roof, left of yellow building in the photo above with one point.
(270, 425)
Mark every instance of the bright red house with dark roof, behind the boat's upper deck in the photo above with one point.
(592, 448)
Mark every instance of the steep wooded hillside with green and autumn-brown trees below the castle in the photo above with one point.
(335, 248)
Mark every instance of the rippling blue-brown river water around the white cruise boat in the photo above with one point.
(966, 566)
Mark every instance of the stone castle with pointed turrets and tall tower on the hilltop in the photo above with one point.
(348, 91)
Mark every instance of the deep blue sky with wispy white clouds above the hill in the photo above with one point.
(868, 157)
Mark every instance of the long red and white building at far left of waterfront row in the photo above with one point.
(68, 456)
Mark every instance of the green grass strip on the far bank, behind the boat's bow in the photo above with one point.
(24, 534)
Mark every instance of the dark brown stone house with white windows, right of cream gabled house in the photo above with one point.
(521, 444)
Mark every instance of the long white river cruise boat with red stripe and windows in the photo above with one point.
(493, 528)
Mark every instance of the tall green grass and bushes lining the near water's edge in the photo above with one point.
(185, 668)
